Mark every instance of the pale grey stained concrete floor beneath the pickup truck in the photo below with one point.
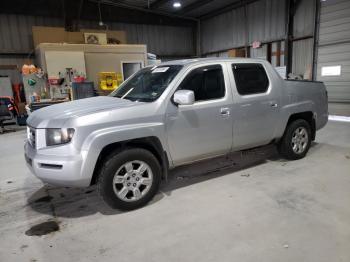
(251, 206)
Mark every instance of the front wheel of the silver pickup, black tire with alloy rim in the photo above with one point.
(121, 176)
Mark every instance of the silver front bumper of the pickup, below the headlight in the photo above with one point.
(56, 169)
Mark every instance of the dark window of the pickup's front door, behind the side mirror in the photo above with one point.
(206, 82)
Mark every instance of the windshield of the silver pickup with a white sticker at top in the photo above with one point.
(147, 84)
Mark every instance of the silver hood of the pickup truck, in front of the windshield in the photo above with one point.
(56, 115)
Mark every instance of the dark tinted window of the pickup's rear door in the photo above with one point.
(250, 78)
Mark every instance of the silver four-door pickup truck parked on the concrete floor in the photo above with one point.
(169, 115)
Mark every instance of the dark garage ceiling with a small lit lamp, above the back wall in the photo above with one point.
(132, 11)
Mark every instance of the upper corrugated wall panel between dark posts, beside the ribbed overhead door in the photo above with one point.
(304, 19)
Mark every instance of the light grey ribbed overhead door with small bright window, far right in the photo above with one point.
(334, 48)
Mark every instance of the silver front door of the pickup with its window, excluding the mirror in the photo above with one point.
(203, 129)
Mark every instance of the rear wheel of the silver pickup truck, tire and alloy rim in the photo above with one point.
(296, 140)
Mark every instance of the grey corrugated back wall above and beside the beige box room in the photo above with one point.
(16, 35)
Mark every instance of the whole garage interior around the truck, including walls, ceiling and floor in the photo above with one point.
(250, 206)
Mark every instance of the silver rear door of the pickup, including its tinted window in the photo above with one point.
(256, 105)
